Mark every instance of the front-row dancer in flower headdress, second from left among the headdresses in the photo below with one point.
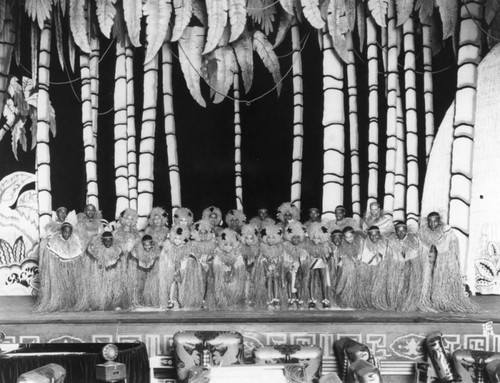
(202, 246)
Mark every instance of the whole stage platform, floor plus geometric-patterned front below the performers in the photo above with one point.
(394, 337)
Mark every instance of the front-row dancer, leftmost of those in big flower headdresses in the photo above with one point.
(175, 250)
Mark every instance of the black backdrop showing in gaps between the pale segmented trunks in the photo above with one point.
(206, 136)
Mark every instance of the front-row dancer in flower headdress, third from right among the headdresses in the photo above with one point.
(270, 265)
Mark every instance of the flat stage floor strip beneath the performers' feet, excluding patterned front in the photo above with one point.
(18, 310)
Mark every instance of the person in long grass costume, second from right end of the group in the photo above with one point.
(405, 271)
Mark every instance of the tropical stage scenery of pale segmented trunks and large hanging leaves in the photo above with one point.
(241, 103)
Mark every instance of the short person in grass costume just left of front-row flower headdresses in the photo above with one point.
(142, 267)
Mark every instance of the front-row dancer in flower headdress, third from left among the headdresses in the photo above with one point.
(229, 272)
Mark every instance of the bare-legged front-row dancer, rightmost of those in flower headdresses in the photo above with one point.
(319, 275)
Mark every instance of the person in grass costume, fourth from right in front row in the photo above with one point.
(348, 284)
